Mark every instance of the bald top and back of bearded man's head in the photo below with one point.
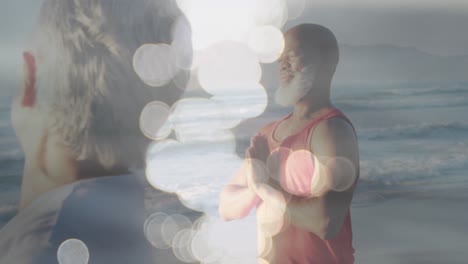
(317, 44)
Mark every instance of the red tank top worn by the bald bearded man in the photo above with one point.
(298, 246)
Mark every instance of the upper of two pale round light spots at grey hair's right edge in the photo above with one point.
(155, 64)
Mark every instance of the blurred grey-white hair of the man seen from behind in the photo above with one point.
(86, 83)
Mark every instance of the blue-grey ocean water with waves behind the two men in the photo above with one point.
(411, 137)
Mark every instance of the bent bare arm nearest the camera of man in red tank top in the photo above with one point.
(335, 146)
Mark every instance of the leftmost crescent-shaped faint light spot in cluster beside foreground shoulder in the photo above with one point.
(154, 230)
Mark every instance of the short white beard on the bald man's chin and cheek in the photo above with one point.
(289, 94)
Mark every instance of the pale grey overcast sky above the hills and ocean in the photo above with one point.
(438, 27)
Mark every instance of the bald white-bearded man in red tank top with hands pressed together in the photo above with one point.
(310, 159)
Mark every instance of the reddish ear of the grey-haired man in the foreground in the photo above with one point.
(28, 92)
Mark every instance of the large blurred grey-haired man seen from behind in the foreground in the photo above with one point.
(76, 116)
